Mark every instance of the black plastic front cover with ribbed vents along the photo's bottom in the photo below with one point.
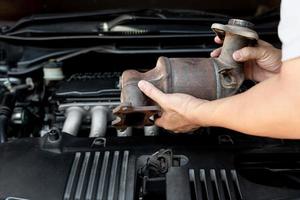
(82, 168)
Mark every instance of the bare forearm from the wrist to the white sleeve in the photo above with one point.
(271, 108)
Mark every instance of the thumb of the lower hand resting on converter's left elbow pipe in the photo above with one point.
(152, 92)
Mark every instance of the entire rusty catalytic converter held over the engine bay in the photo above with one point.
(205, 78)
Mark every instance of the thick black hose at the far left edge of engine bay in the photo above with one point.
(6, 107)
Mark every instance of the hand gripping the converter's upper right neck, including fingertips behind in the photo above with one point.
(261, 62)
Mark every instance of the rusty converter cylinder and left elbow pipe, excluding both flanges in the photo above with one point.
(194, 76)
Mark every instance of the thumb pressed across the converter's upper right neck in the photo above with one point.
(249, 53)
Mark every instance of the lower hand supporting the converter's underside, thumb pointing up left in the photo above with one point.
(178, 110)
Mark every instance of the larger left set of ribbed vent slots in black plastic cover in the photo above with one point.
(98, 175)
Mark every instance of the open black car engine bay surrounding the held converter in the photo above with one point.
(60, 82)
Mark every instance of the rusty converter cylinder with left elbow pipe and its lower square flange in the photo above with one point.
(171, 75)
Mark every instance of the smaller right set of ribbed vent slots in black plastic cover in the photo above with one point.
(214, 184)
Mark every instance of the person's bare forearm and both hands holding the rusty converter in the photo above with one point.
(271, 108)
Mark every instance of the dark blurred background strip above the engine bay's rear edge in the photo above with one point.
(11, 10)
